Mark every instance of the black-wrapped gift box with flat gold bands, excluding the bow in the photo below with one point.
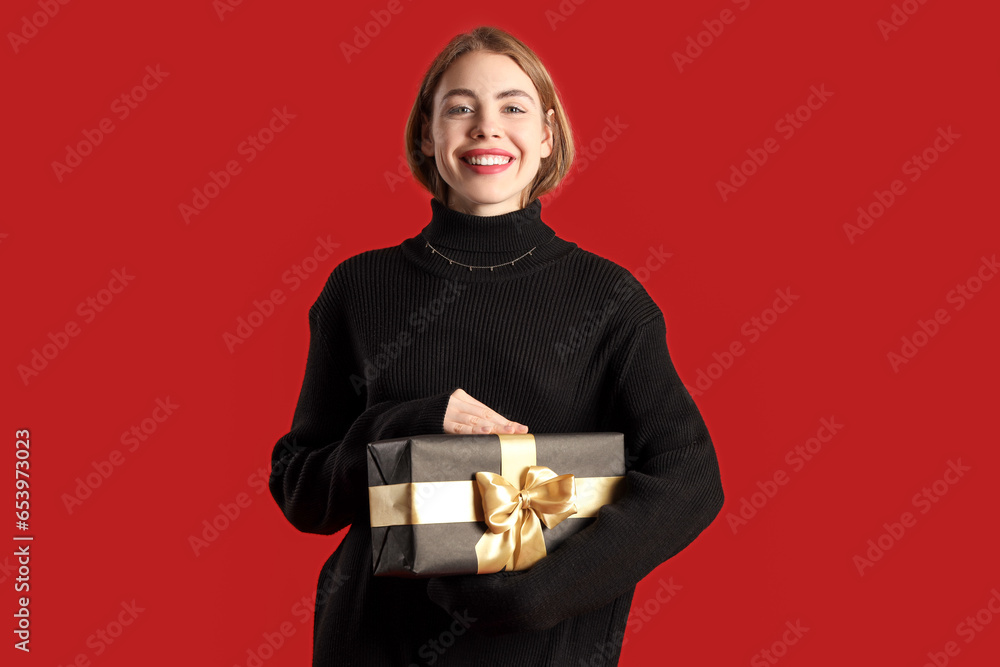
(432, 479)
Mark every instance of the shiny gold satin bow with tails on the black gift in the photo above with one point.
(514, 539)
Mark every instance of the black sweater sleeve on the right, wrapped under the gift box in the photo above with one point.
(674, 492)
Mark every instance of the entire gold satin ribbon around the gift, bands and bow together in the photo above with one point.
(513, 504)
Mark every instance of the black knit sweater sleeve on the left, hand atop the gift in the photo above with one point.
(319, 472)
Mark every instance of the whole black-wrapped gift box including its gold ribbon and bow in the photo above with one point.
(474, 504)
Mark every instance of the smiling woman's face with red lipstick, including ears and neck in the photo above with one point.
(486, 110)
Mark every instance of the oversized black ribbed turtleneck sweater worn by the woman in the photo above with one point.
(563, 341)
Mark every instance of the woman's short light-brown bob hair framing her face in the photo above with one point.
(551, 170)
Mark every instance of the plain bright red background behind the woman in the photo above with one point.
(654, 185)
